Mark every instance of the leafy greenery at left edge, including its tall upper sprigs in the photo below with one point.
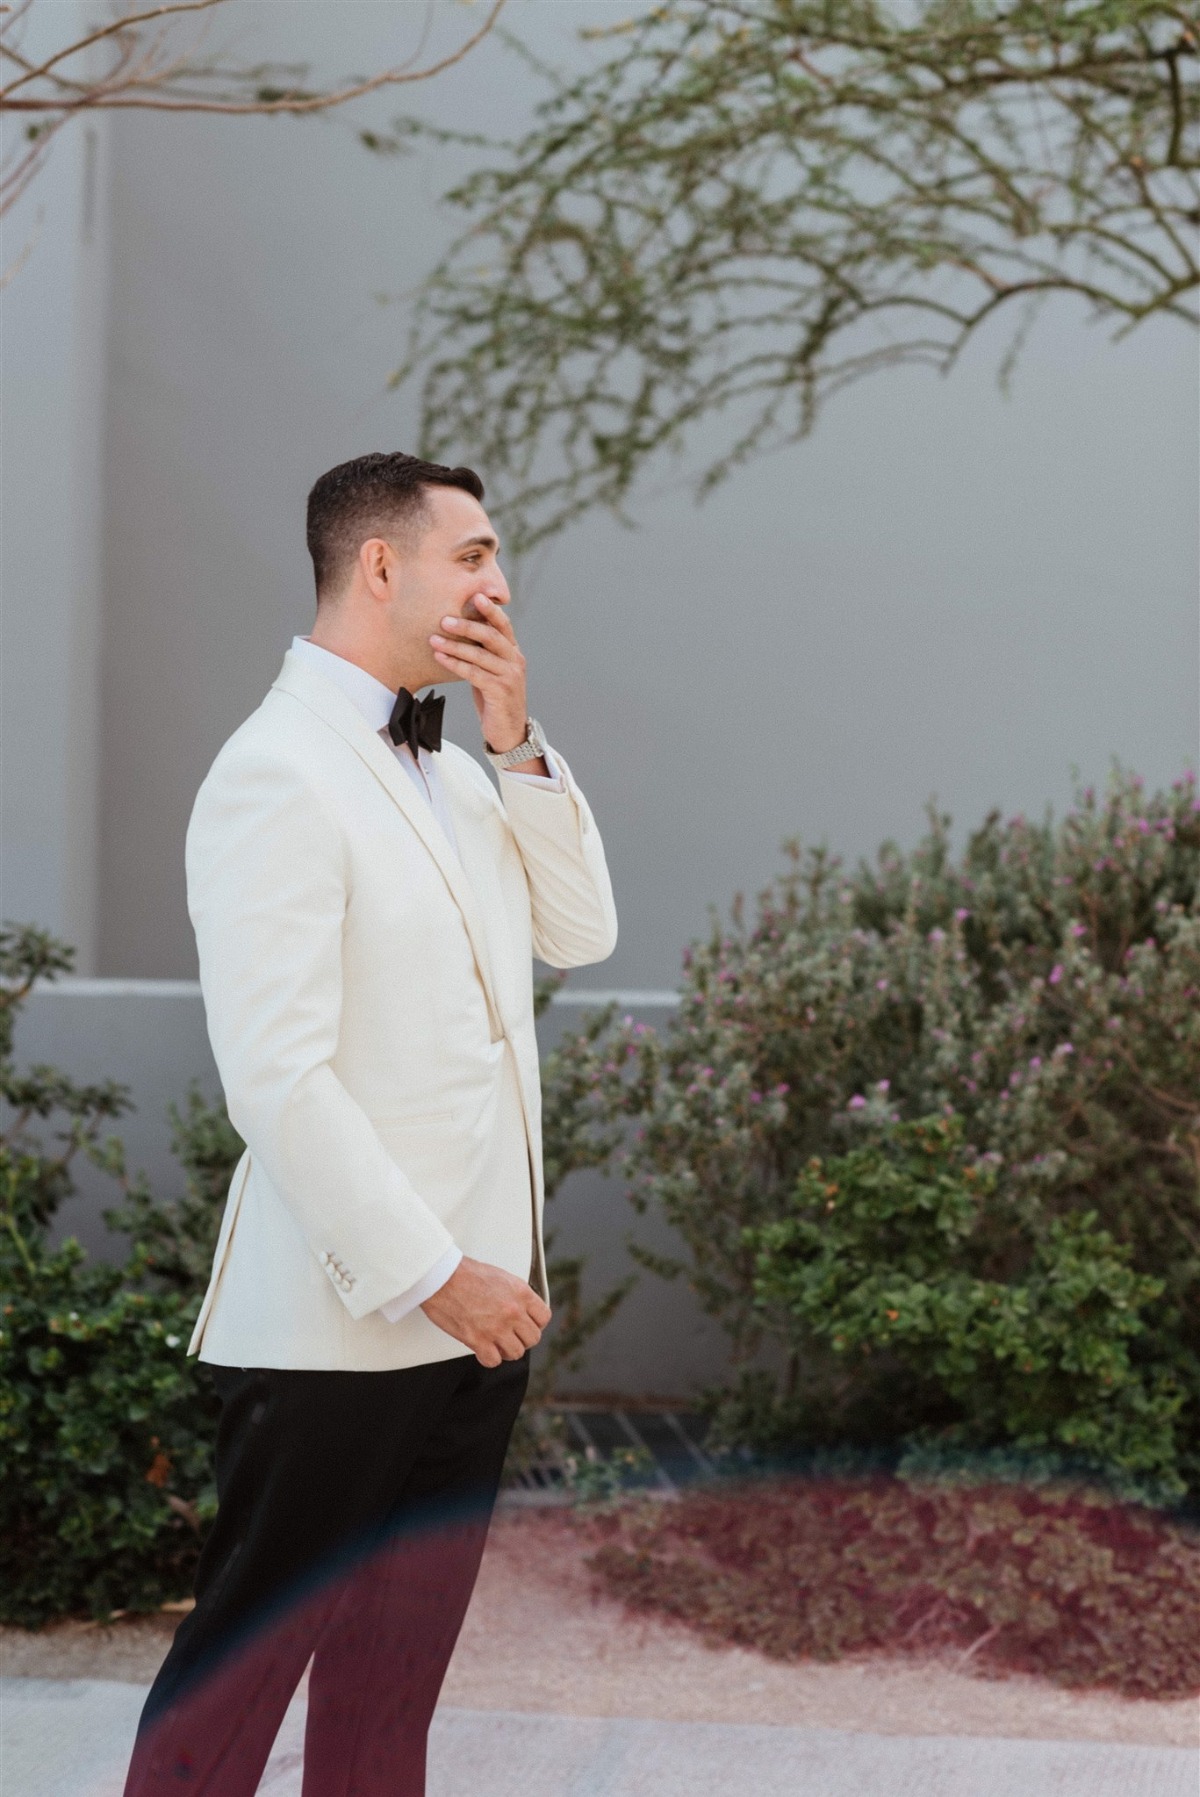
(105, 1426)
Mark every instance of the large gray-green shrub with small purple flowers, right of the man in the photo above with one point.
(1041, 989)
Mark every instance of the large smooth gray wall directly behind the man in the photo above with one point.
(942, 592)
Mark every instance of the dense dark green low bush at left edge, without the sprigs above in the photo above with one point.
(107, 1440)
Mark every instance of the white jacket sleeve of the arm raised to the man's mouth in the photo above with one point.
(569, 878)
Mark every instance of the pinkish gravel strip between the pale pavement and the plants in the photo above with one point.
(538, 1640)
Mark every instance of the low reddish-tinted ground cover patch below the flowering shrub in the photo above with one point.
(1068, 1586)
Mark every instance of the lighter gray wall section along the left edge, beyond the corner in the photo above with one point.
(53, 389)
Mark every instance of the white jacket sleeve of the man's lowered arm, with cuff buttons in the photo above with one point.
(267, 892)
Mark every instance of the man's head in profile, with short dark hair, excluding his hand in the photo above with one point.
(398, 545)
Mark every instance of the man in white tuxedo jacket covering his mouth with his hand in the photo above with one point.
(367, 912)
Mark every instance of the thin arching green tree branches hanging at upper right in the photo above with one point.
(745, 206)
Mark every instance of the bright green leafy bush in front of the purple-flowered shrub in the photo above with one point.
(899, 1250)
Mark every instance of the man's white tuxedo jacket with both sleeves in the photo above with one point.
(371, 1009)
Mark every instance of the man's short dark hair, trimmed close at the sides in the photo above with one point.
(373, 497)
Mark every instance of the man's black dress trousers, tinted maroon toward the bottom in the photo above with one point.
(353, 1514)
